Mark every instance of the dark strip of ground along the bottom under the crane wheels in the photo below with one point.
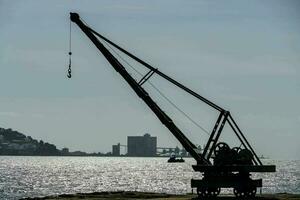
(158, 196)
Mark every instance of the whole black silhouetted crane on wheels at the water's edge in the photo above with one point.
(229, 167)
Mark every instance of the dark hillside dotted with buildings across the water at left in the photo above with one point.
(15, 143)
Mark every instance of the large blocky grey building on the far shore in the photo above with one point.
(141, 145)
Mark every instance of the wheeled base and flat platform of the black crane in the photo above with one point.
(237, 177)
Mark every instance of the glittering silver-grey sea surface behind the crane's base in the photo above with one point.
(40, 176)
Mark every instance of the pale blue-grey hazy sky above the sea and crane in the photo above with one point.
(242, 55)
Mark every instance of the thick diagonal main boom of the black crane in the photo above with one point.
(162, 116)
